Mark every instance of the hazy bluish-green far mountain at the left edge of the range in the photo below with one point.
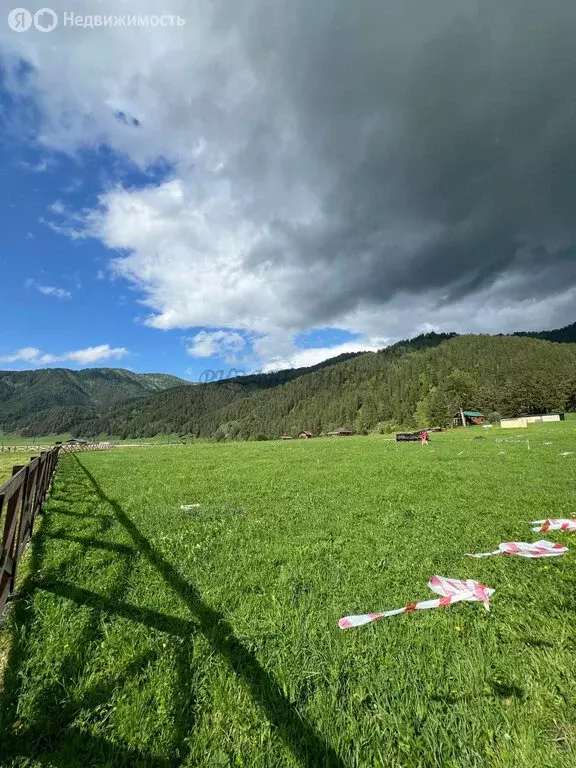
(27, 395)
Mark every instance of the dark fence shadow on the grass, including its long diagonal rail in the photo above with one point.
(68, 746)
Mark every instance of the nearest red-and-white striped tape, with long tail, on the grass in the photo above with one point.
(452, 591)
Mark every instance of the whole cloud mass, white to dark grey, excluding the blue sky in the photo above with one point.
(334, 161)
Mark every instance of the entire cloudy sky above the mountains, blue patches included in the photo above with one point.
(273, 182)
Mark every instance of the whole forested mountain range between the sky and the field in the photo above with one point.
(407, 384)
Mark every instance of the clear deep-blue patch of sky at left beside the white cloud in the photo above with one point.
(58, 293)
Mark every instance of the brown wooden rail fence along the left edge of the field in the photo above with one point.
(21, 501)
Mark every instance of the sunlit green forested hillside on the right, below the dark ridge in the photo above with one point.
(509, 376)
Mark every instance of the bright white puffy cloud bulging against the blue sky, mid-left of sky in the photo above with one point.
(188, 251)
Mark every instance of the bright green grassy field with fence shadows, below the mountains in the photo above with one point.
(147, 635)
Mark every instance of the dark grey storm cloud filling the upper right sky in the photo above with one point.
(439, 138)
